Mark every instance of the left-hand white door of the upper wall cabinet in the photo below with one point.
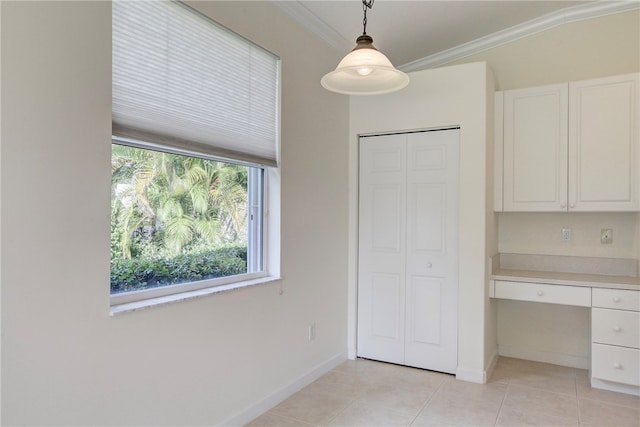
(535, 149)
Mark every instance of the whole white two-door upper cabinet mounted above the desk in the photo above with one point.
(569, 147)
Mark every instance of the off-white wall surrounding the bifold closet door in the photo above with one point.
(438, 98)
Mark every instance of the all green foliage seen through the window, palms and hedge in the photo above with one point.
(175, 219)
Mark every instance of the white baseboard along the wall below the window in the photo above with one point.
(268, 402)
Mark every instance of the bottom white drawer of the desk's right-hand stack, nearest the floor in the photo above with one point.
(619, 364)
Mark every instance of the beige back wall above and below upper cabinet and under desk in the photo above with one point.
(581, 50)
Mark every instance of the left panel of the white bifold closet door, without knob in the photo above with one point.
(381, 249)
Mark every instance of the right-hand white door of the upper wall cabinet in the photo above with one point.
(603, 144)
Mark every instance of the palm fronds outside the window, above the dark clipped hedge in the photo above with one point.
(185, 200)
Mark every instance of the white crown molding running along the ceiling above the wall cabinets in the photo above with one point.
(546, 22)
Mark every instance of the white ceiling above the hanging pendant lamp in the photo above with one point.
(416, 31)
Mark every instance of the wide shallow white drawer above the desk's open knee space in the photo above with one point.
(541, 292)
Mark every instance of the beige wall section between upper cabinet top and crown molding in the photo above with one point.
(580, 50)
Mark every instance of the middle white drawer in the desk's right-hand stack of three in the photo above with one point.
(615, 327)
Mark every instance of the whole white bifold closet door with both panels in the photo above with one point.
(408, 252)
